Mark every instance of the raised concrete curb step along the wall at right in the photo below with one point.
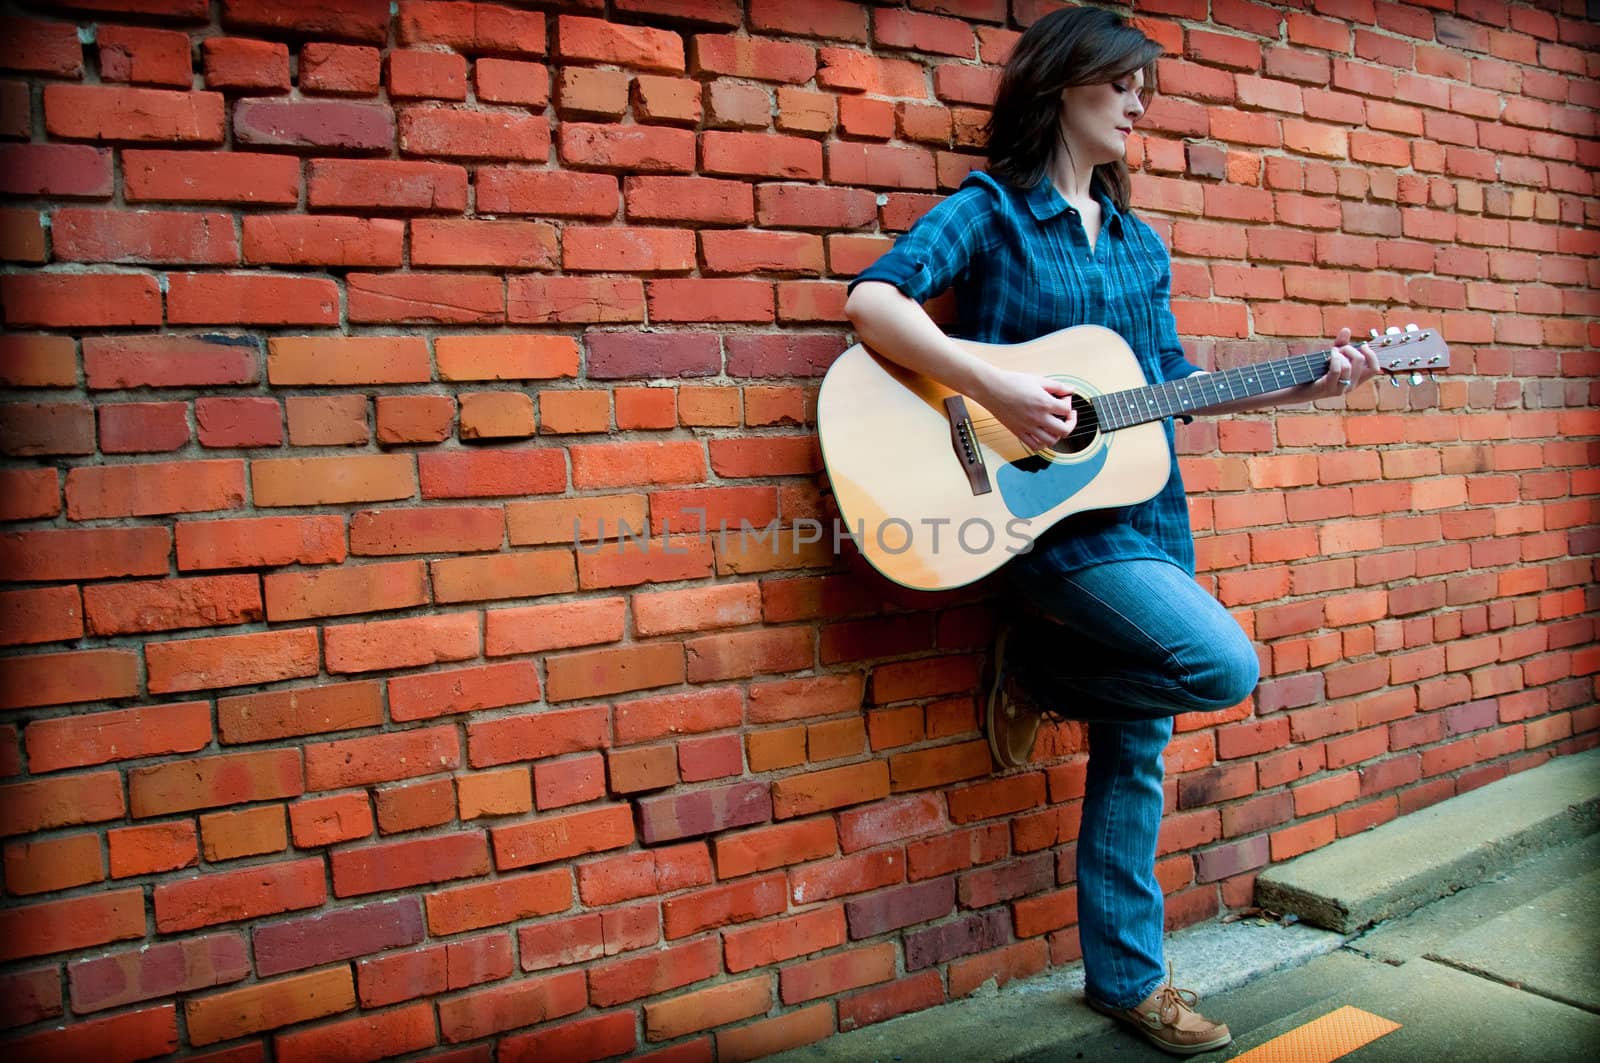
(1406, 864)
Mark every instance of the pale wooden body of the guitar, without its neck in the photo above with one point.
(902, 484)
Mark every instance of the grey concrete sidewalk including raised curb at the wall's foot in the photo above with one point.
(1473, 925)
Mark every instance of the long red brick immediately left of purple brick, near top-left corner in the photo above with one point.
(105, 113)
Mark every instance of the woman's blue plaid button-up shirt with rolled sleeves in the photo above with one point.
(1022, 268)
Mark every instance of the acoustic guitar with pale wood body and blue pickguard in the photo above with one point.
(938, 494)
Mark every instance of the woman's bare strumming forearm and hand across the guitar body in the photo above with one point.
(1033, 409)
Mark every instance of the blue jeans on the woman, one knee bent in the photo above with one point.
(1134, 644)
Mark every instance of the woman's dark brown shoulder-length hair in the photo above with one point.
(1062, 50)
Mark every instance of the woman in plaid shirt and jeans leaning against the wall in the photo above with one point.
(1126, 638)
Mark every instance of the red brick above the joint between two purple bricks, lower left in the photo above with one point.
(234, 896)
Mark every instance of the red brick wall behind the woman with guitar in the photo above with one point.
(324, 326)
